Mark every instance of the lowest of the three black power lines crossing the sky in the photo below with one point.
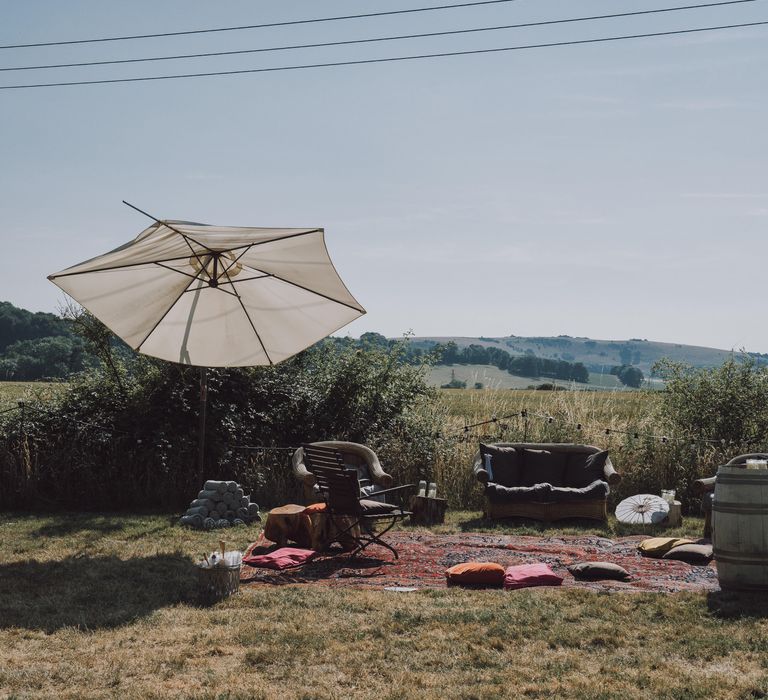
(387, 60)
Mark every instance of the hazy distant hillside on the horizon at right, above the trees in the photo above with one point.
(599, 356)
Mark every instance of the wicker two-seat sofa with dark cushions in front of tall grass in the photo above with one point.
(544, 481)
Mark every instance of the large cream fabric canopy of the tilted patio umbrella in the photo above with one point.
(215, 296)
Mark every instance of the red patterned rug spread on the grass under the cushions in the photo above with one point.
(424, 557)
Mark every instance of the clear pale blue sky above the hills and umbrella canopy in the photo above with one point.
(613, 190)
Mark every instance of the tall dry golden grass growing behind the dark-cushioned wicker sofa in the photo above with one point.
(646, 463)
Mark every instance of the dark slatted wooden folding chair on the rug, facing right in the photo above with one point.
(354, 517)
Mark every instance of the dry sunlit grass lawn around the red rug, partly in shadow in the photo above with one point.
(102, 606)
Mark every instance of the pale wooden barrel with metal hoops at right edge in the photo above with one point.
(740, 528)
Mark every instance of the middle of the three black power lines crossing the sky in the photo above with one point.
(377, 39)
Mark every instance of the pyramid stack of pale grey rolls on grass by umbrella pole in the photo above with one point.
(220, 504)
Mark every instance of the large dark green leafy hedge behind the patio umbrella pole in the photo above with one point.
(127, 436)
